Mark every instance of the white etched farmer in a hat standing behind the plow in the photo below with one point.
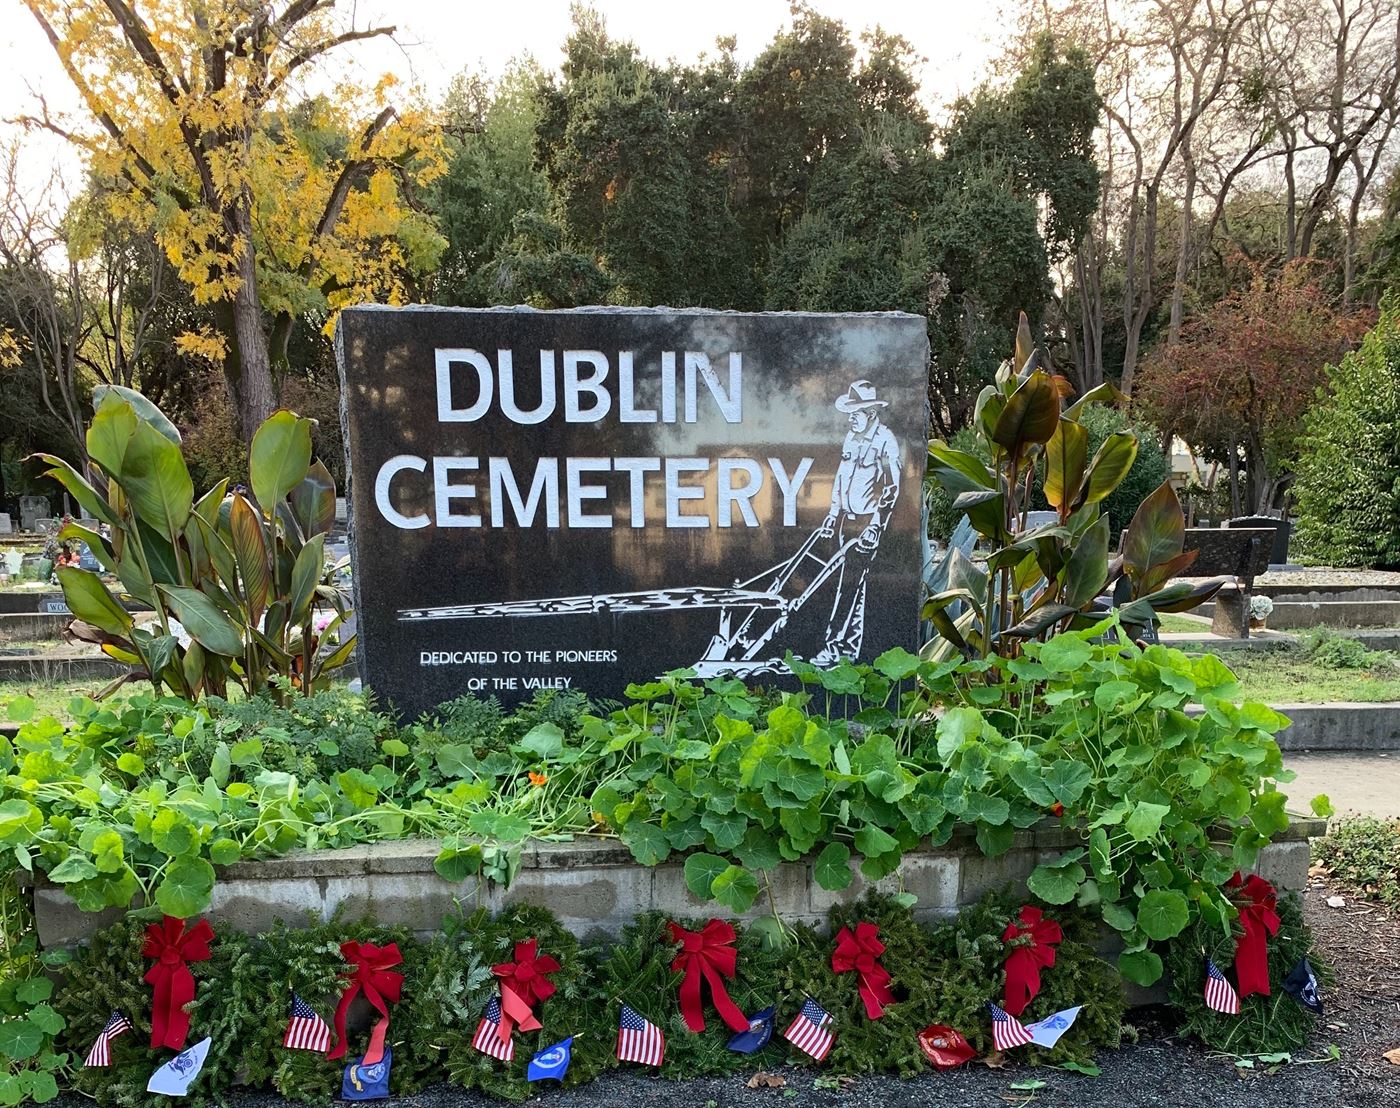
(863, 497)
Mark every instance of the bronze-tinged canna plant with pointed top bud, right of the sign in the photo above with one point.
(1042, 581)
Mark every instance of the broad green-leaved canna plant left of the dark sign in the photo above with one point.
(234, 579)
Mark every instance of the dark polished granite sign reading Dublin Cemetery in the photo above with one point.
(589, 498)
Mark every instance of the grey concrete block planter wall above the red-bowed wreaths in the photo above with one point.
(593, 886)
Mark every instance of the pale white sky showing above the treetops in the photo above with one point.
(439, 39)
